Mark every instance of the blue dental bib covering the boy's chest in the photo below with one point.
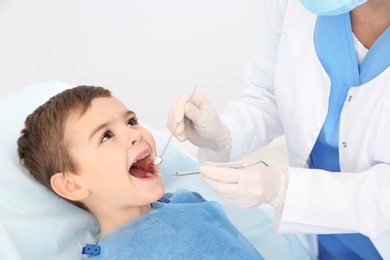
(181, 225)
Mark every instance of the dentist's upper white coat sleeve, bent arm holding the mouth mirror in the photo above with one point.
(253, 119)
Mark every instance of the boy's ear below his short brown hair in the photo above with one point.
(66, 186)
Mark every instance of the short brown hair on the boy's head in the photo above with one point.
(41, 146)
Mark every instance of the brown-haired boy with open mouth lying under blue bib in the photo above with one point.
(87, 147)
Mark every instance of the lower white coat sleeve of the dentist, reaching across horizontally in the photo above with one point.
(326, 202)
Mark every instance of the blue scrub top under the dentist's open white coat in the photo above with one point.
(335, 49)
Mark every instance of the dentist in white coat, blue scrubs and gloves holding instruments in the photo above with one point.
(320, 76)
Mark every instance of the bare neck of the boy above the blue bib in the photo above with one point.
(109, 220)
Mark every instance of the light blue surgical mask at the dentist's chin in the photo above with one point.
(331, 7)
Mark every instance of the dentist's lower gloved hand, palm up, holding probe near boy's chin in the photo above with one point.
(248, 187)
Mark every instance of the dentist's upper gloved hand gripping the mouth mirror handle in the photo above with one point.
(198, 122)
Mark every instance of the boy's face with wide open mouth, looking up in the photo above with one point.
(113, 153)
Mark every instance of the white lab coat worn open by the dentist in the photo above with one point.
(287, 93)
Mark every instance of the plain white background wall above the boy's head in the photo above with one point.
(147, 52)
